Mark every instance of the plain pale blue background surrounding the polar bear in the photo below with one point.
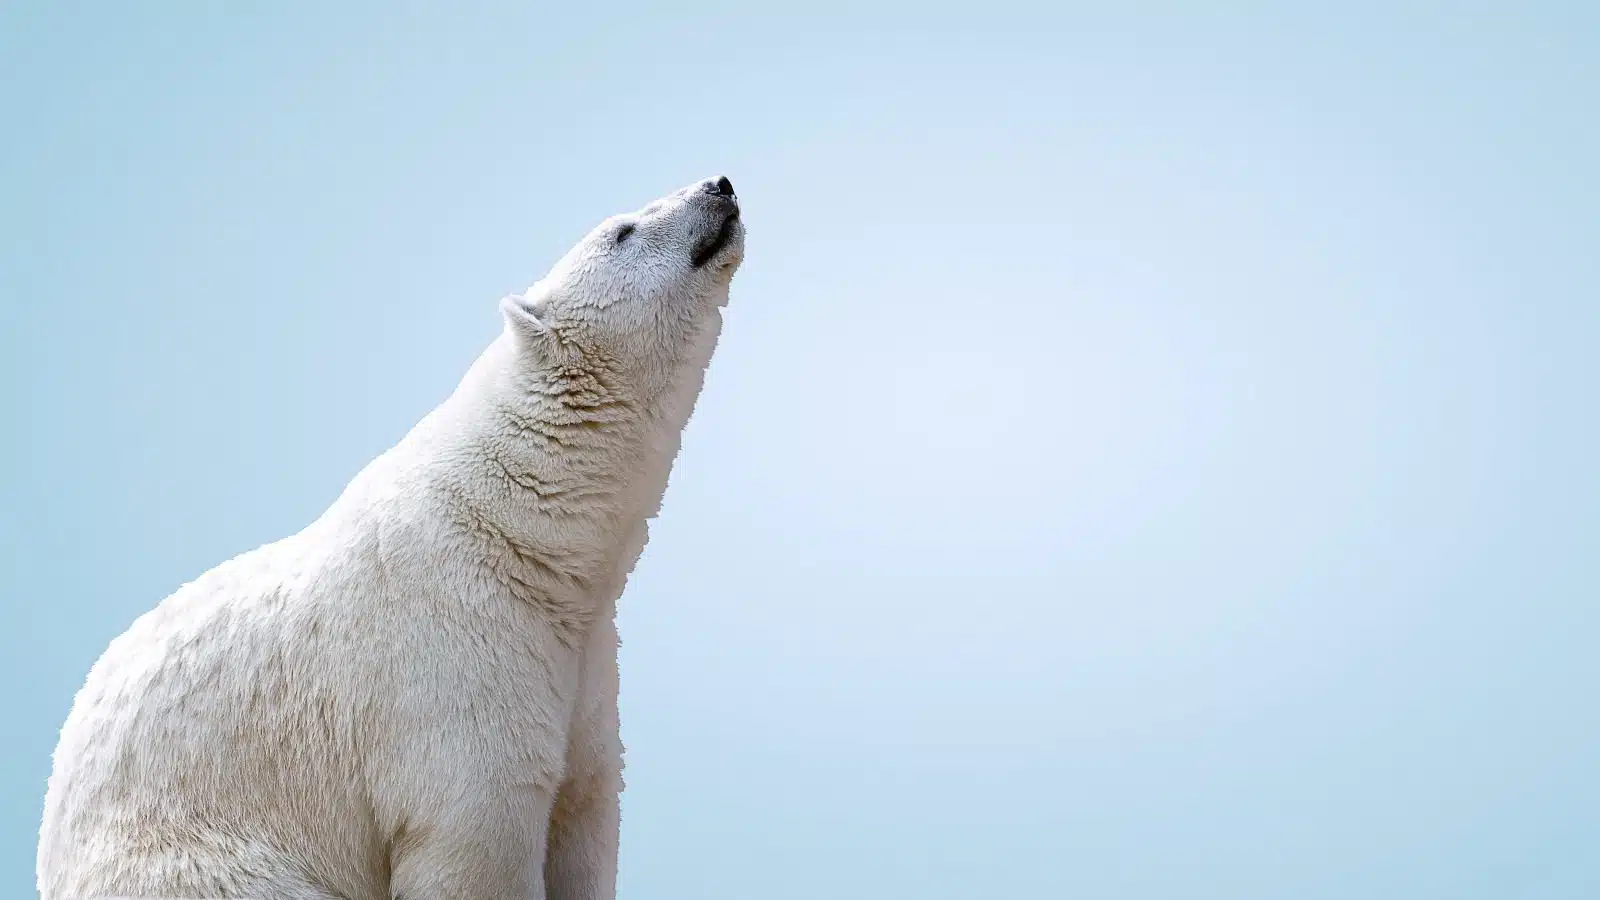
(1151, 454)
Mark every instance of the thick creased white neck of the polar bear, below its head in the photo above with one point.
(553, 470)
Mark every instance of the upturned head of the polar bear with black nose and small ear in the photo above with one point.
(641, 292)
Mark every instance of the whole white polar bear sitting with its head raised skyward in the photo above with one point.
(415, 697)
